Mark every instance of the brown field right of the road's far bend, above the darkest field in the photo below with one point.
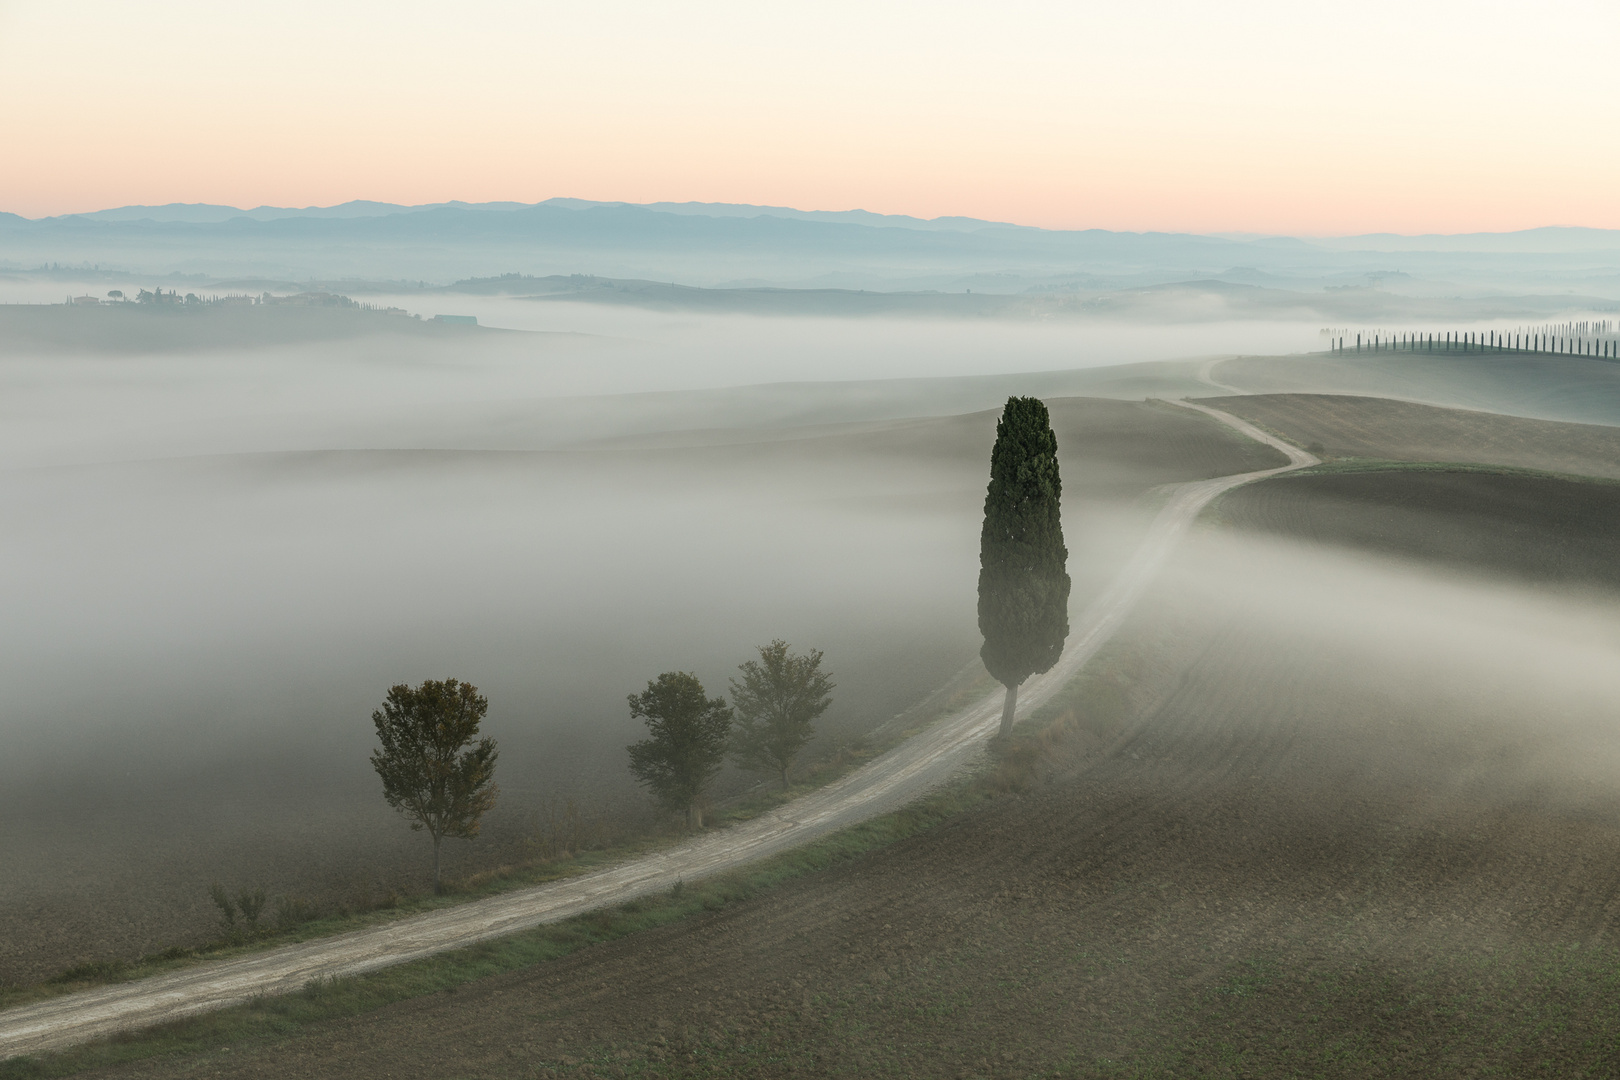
(1349, 427)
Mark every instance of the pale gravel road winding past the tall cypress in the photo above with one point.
(884, 784)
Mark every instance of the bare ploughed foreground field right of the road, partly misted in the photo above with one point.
(1315, 814)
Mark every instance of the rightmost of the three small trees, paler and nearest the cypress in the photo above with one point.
(777, 702)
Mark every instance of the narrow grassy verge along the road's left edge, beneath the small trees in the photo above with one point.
(842, 762)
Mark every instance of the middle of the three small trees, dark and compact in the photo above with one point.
(688, 746)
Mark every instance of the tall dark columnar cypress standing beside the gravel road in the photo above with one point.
(1023, 577)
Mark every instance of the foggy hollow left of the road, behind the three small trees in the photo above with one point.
(195, 645)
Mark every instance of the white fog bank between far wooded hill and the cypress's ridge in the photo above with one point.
(521, 391)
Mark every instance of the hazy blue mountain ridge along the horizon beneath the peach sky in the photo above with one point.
(723, 244)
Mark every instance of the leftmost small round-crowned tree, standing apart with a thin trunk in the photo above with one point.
(432, 770)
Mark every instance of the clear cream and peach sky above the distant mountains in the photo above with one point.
(1192, 116)
